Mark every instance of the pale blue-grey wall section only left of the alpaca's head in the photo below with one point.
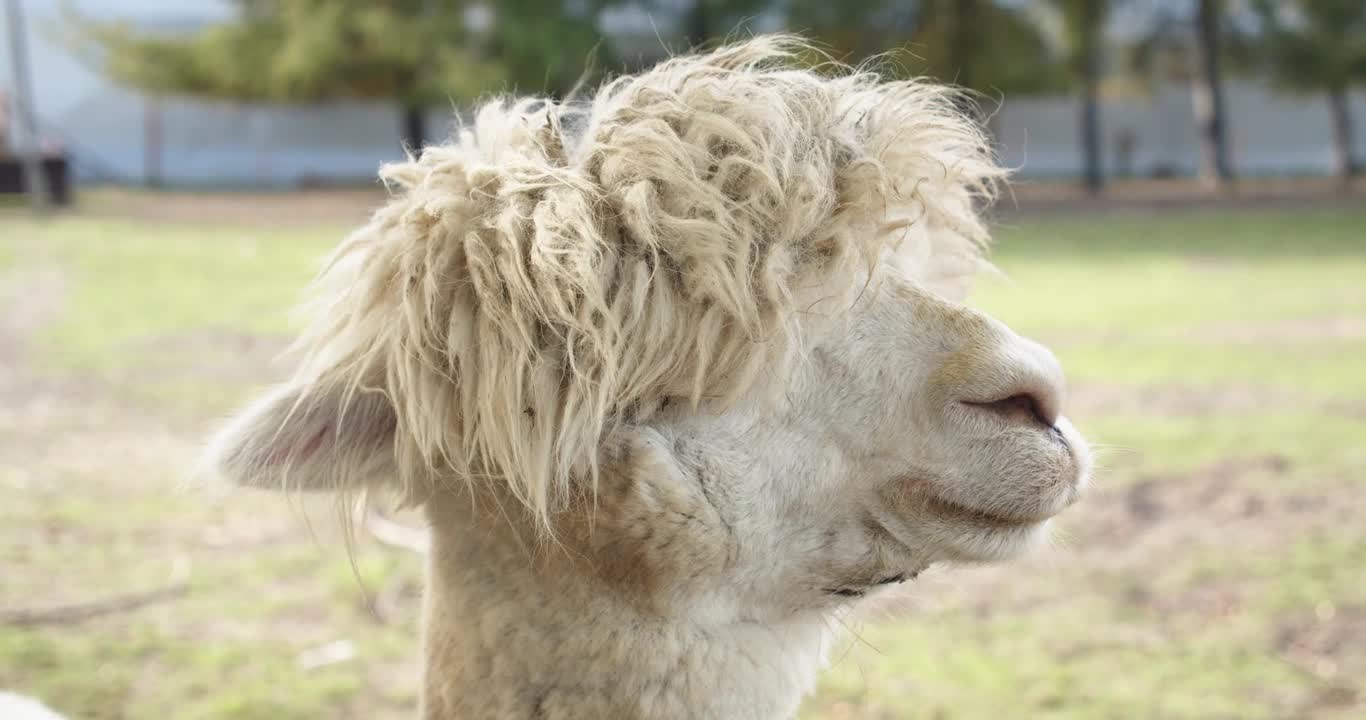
(203, 143)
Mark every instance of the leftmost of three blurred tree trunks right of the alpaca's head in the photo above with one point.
(1084, 28)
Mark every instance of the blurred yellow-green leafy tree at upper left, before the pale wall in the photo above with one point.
(416, 53)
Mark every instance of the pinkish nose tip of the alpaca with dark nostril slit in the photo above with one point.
(1024, 389)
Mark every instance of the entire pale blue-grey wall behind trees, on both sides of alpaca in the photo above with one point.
(229, 144)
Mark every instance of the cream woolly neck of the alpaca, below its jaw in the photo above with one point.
(513, 631)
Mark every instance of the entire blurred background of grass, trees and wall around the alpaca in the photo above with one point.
(1185, 230)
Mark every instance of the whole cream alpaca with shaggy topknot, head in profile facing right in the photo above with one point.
(678, 375)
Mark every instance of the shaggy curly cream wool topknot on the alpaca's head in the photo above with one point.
(562, 268)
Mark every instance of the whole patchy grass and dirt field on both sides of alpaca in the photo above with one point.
(1218, 570)
